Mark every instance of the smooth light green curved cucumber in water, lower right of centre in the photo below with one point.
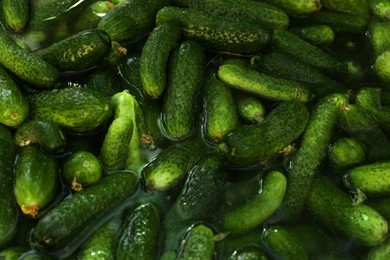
(257, 210)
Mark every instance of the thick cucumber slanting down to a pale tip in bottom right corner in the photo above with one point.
(335, 209)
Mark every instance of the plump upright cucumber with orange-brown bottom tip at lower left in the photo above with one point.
(36, 180)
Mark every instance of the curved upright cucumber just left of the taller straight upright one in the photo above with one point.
(154, 57)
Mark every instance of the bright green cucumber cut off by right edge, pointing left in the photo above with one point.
(372, 179)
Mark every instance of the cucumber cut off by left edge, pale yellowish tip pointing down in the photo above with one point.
(13, 104)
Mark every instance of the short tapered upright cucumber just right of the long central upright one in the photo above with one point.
(219, 109)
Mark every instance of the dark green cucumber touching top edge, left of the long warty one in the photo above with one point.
(131, 19)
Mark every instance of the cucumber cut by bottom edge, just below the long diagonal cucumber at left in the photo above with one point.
(102, 243)
